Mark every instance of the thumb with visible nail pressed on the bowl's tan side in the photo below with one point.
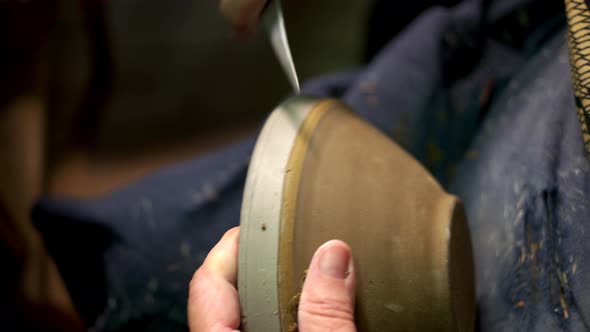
(327, 299)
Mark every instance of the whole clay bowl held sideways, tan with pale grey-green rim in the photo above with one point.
(319, 172)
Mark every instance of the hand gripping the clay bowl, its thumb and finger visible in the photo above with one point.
(327, 299)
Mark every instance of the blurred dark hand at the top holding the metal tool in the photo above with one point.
(243, 15)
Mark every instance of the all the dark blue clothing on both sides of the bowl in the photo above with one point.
(496, 127)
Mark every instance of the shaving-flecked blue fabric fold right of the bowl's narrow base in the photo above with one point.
(527, 195)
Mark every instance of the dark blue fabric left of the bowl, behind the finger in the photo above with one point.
(127, 258)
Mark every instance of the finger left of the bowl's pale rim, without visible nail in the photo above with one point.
(213, 299)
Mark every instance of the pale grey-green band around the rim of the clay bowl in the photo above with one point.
(260, 217)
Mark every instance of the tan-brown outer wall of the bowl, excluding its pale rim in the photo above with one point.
(345, 180)
